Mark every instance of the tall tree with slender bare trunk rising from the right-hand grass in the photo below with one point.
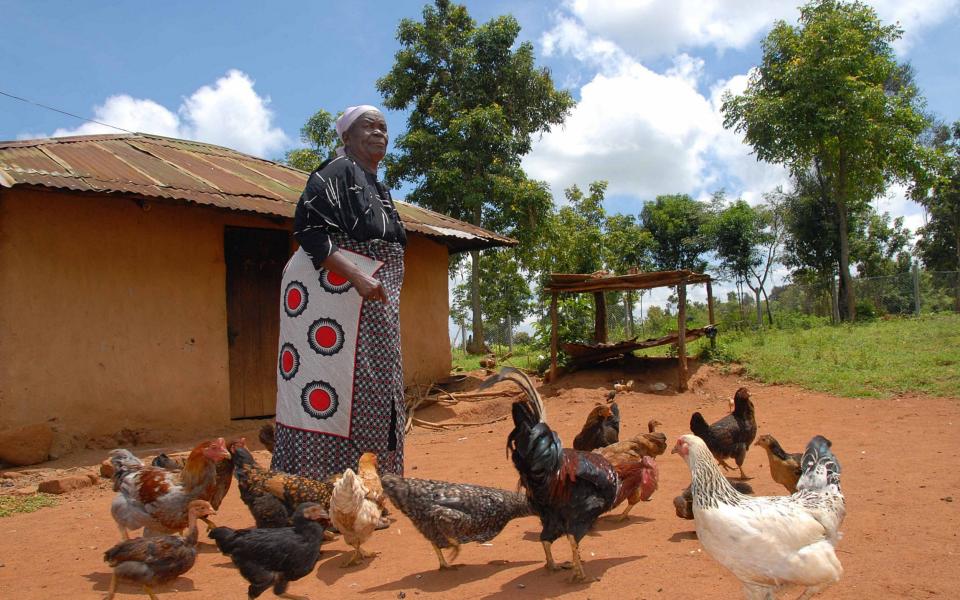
(829, 93)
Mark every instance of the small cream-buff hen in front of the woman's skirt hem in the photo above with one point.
(353, 514)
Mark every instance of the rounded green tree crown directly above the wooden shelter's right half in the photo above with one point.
(677, 225)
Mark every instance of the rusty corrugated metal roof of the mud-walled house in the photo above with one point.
(152, 166)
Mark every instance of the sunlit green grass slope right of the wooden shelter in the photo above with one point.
(877, 359)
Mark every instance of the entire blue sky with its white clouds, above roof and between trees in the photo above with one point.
(647, 74)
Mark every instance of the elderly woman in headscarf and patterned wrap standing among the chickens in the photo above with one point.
(339, 380)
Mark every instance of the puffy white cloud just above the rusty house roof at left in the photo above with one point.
(228, 113)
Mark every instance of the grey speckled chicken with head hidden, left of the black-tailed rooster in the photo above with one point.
(450, 514)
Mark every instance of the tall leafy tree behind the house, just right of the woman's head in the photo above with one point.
(476, 98)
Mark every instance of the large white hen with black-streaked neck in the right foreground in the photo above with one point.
(774, 541)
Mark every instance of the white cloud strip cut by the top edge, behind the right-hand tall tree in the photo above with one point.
(651, 28)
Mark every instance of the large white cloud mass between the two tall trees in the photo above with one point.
(647, 133)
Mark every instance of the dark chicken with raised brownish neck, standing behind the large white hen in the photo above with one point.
(731, 436)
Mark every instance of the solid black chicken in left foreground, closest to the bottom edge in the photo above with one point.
(275, 557)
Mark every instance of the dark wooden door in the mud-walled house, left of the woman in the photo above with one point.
(255, 259)
